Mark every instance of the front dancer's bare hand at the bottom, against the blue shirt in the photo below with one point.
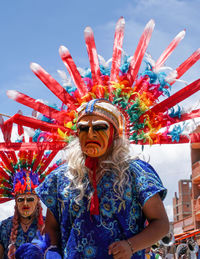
(120, 250)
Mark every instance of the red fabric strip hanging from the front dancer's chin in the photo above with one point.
(92, 163)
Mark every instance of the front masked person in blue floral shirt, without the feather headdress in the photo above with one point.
(99, 201)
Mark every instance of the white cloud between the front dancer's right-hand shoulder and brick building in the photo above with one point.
(172, 163)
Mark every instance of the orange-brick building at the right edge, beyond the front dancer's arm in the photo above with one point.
(186, 205)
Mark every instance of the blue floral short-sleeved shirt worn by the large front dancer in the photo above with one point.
(83, 237)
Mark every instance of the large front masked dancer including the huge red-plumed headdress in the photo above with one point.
(99, 201)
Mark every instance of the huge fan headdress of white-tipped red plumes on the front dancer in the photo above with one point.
(136, 95)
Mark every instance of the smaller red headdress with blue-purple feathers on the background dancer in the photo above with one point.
(23, 165)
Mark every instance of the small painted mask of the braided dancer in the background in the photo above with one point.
(26, 204)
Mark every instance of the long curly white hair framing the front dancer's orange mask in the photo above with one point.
(117, 163)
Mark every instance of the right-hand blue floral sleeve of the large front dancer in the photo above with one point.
(147, 181)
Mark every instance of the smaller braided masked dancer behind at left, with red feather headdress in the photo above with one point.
(20, 172)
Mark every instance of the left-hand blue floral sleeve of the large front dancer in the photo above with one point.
(48, 191)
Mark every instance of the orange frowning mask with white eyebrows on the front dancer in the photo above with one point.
(94, 134)
